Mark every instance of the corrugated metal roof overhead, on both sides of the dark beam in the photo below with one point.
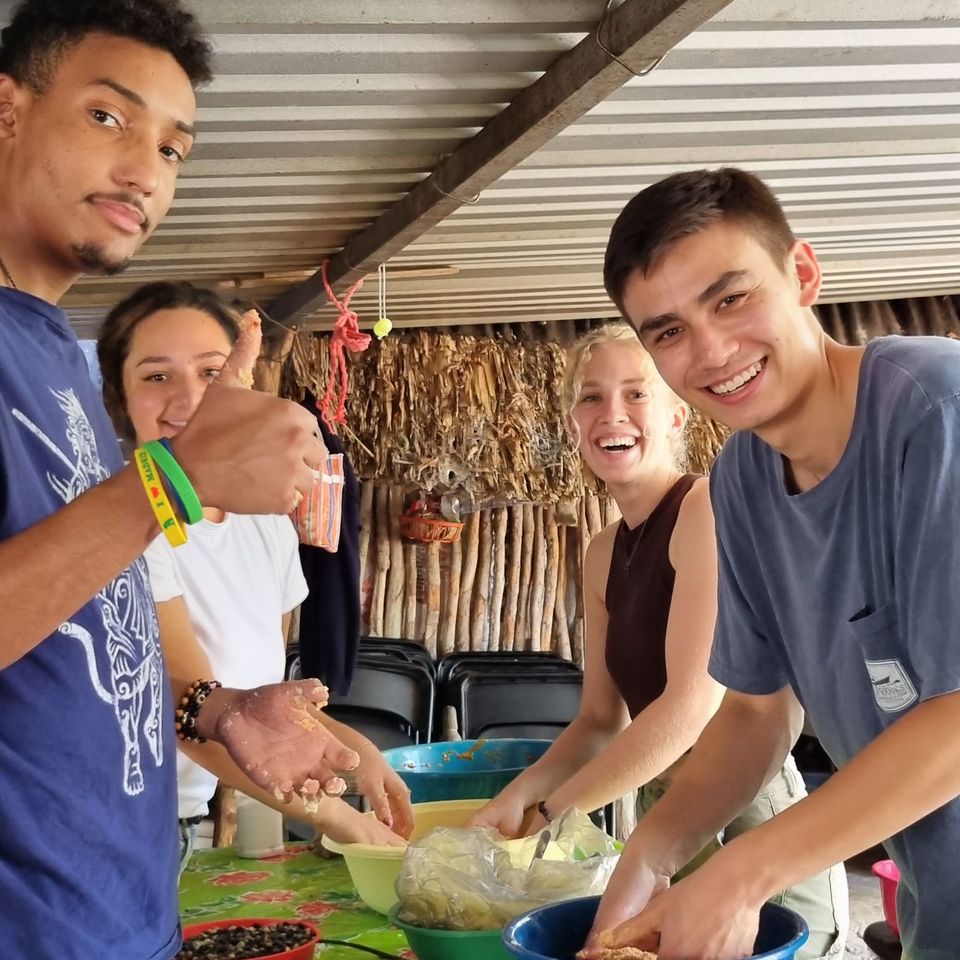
(325, 112)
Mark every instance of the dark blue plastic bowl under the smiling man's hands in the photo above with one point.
(558, 931)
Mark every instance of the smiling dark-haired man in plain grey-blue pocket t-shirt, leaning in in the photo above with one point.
(837, 503)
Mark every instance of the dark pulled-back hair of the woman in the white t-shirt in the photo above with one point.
(113, 341)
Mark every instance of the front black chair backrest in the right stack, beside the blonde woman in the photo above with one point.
(535, 703)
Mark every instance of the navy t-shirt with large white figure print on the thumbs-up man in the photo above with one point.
(88, 849)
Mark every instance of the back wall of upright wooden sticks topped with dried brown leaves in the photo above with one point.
(437, 412)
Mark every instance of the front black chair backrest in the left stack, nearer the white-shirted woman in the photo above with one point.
(387, 696)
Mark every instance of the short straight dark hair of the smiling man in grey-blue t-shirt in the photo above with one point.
(684, 204)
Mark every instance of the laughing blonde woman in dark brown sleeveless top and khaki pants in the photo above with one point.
(650, 584)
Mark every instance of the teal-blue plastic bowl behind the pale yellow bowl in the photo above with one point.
(463, 769)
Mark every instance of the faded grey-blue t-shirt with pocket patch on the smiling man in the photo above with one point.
(850, 591)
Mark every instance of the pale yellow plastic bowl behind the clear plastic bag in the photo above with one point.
(374, 869)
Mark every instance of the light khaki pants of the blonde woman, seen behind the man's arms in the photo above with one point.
(821, 900)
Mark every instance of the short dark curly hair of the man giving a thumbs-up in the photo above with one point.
(41, 31)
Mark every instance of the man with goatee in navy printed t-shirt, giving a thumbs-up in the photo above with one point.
(96, 115)
